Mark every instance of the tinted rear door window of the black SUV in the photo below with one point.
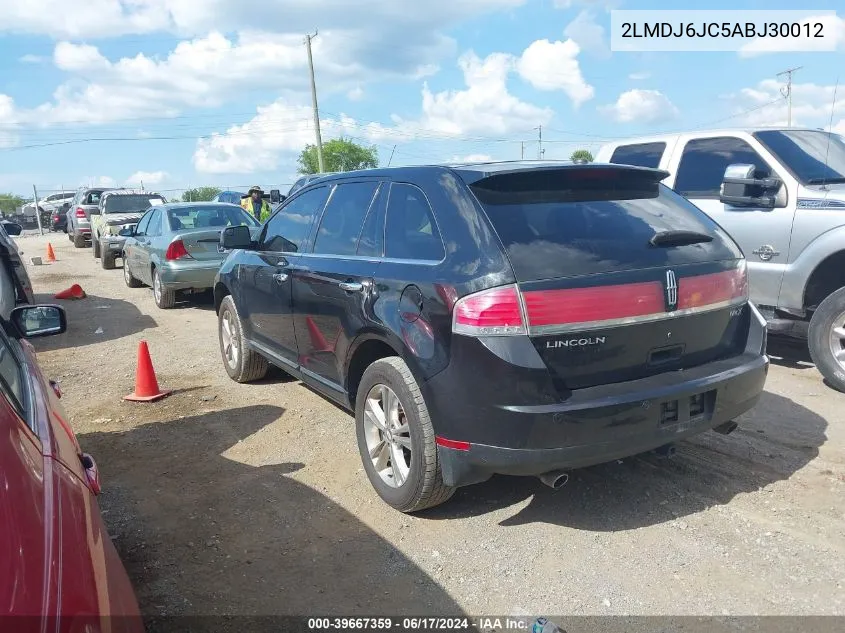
(343, 218)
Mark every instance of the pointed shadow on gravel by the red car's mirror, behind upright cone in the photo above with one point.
(94, 319)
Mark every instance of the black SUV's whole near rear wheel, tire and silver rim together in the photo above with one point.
(396, 438)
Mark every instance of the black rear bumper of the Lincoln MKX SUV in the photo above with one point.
(544, 431)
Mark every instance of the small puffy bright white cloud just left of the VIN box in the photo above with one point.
(554, 66)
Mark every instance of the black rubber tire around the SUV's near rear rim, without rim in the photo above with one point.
(424, 487)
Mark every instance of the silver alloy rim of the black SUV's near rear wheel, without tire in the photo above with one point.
(387, 435)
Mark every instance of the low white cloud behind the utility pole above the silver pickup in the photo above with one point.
(811, 104)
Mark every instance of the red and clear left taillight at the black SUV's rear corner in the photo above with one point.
(494, 312)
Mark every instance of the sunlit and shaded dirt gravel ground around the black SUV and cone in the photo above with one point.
(251, 499)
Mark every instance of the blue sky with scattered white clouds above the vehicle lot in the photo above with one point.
(194, 93)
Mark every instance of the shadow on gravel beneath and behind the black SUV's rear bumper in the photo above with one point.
(778, 438)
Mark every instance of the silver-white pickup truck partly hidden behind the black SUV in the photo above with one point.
(780, 192)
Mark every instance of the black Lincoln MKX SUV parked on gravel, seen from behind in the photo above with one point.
(497, 318)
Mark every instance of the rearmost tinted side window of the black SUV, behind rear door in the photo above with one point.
(411, 230)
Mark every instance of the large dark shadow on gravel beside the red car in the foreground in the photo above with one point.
(201, 531)
